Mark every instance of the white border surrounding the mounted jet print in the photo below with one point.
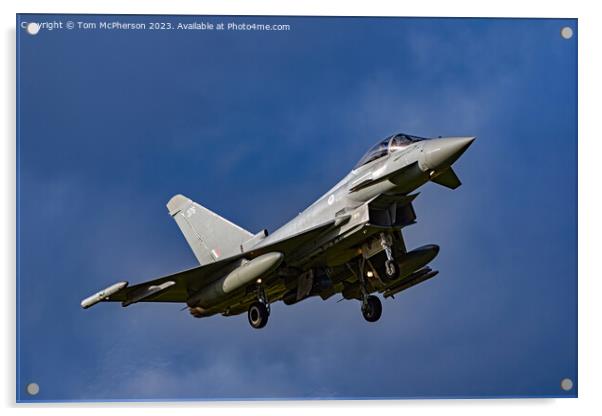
(589, 201)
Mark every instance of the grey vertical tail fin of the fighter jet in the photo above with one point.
(210, 236)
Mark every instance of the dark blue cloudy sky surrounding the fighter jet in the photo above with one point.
(256, 126)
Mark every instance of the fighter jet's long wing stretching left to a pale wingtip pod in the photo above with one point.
(178, 287)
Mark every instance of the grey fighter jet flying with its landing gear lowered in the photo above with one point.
(348, 242)
